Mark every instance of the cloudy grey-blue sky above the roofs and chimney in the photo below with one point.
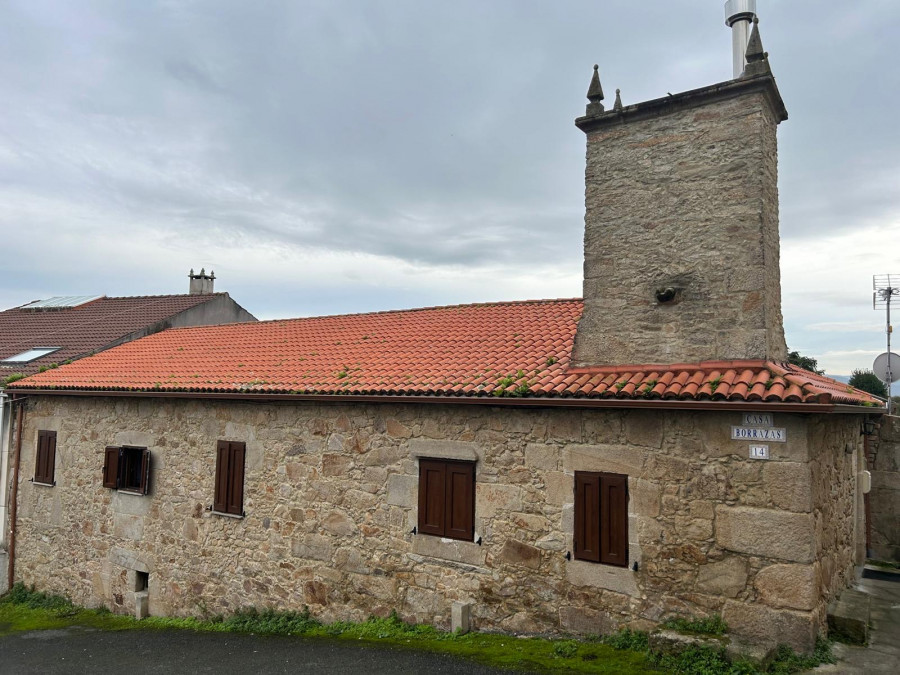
(353, 155)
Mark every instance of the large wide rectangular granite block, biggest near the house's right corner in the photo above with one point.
(766, 532)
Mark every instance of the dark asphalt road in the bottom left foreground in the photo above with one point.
(79, 650)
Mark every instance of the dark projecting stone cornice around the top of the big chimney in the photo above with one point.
(694, 98)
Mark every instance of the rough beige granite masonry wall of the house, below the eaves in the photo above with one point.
(331, 499)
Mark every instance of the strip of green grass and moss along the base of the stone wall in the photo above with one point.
(625, 653)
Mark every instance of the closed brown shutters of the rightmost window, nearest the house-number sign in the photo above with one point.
(601, 518)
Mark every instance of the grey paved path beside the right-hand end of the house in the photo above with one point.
(882, 655)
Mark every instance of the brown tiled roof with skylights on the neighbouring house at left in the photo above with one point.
(76, 326)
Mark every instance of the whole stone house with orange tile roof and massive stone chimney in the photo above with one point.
(562, 465)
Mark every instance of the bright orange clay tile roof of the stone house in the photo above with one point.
(486, 350)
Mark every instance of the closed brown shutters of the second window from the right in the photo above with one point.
(447, 498)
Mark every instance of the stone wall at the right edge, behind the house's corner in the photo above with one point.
(884, 499)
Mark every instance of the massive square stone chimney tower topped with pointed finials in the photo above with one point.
(681, 249)
